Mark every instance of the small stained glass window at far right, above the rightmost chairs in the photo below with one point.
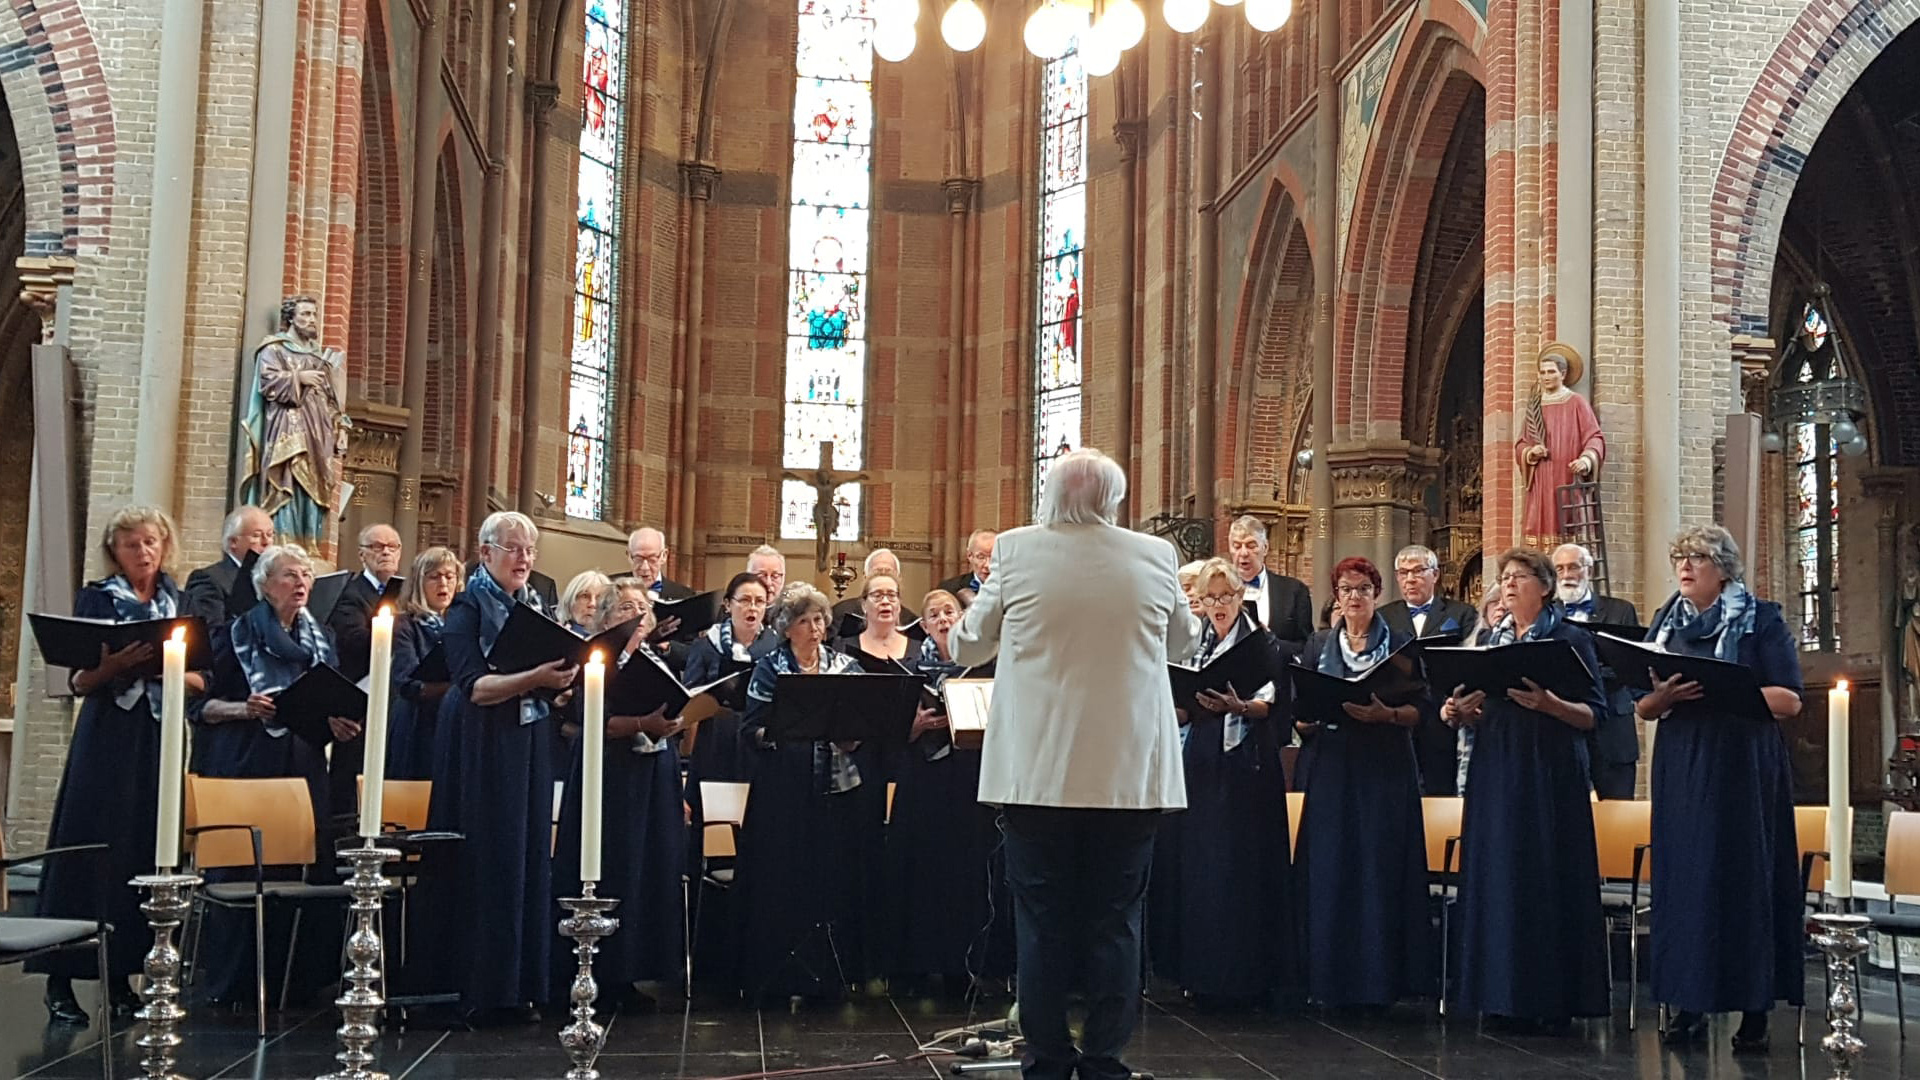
(1813, 501)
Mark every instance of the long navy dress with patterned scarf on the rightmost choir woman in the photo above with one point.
(1731, 929)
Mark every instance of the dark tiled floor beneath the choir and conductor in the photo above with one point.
(713, 1041)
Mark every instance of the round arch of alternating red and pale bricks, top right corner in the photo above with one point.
(1800, 87)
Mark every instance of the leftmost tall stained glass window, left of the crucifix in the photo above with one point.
(596, 258)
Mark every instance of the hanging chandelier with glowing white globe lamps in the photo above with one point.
(1101, 30)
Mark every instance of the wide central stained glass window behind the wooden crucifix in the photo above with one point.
(828, 228)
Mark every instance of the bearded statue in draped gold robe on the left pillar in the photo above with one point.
(297, 431)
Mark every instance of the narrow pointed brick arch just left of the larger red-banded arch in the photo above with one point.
(1272, 349)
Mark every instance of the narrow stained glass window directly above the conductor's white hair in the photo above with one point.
(1057, 364)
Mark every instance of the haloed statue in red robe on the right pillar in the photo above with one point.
(1560, 445)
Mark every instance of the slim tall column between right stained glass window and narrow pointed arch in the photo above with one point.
(1207, 283)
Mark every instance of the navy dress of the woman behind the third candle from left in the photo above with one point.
(644, 854)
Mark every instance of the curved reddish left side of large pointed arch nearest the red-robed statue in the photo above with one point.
(1433, 87)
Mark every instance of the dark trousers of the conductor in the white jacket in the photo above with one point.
(1080, 885)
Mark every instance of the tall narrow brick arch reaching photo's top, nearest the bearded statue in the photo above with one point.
(377, 333)
